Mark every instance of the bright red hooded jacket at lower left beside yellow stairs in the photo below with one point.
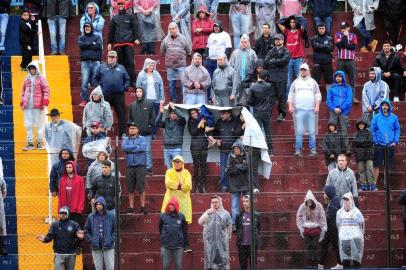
(77, 202)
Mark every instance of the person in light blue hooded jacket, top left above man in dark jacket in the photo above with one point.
(92, 16)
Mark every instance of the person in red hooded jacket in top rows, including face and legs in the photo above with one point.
(202, 27)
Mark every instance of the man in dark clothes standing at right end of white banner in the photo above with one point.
(261, 96)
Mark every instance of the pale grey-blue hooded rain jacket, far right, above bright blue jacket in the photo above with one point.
(374, 92)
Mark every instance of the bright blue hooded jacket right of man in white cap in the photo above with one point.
(340, 96)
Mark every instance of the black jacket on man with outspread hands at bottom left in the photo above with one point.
(63, 233)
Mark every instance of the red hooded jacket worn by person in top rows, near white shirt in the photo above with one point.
(199, 40)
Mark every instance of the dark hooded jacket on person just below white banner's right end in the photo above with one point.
(237, 170)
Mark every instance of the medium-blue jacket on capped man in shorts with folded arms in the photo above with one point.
(135, 148)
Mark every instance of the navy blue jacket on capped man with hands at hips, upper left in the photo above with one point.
(112, 79)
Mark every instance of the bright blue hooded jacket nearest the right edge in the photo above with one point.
(385, 129)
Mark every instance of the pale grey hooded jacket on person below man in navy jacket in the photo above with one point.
(97, 111)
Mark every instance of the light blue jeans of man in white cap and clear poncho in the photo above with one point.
(305, 122)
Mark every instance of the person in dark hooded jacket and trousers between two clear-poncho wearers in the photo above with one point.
(332, 203)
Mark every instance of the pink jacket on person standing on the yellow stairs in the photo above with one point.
(41, 93)
